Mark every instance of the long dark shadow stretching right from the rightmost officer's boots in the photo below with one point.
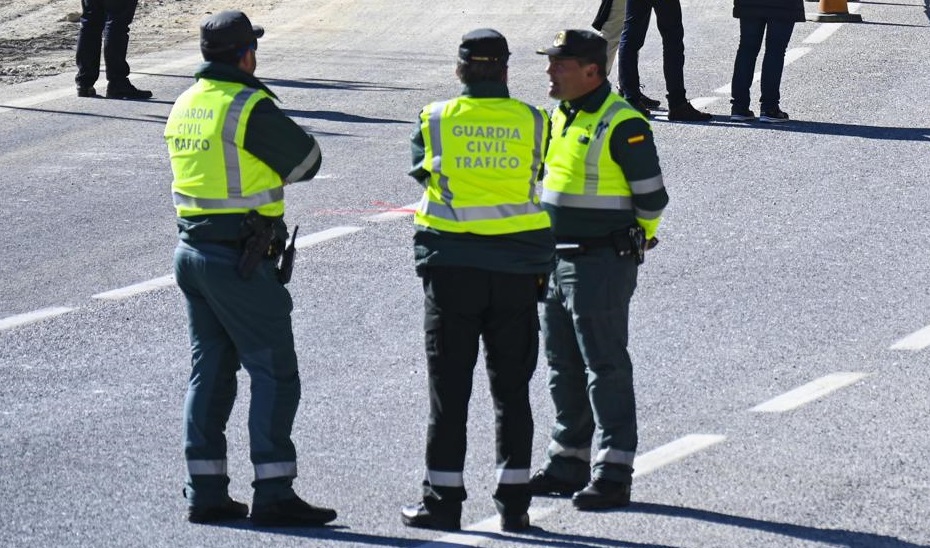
(836, 537)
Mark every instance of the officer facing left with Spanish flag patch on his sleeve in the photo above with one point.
(603, 189)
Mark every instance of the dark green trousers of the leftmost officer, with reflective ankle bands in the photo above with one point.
(235, 321)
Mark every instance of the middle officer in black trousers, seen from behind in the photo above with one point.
(482, 245)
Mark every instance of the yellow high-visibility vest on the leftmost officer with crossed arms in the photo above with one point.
(213, 173)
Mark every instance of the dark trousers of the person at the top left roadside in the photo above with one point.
(105, 21)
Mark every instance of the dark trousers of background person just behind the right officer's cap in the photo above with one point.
(668, 20)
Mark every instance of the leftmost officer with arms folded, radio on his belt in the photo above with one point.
(232, 151)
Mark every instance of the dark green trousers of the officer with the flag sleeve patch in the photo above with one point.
(584, 323)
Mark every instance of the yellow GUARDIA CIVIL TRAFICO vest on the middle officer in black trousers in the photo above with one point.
(483, 156)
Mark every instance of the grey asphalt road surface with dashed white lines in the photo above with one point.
(777, 332)
